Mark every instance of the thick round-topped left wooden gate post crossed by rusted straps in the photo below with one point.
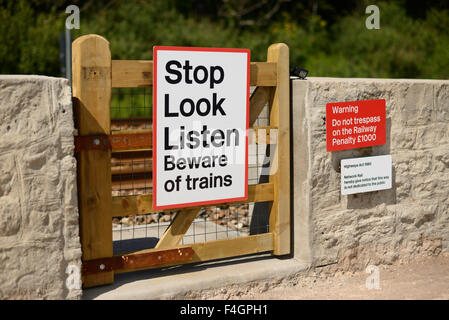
(91, 65)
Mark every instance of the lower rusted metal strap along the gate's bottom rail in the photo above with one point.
(137, 260)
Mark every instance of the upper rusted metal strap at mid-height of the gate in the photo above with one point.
(115, 141)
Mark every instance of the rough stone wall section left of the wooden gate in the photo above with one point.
(38, 198)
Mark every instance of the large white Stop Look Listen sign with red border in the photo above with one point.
(200, 126)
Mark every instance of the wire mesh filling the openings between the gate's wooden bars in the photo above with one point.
(131, 109)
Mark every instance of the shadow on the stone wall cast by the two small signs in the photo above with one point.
(368, 199)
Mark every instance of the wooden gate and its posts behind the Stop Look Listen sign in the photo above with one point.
(94, 74)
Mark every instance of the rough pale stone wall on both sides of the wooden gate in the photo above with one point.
(39, 235)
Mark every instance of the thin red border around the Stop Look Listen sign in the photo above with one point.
(203, 49)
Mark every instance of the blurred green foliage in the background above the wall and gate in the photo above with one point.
(330, 39)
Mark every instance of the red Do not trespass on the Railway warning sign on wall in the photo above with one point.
(355, 124)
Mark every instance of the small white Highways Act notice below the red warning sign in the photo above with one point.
(365, 174)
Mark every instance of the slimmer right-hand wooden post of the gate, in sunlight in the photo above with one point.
(280, 176)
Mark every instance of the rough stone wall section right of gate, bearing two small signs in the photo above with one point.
(377, 227)
